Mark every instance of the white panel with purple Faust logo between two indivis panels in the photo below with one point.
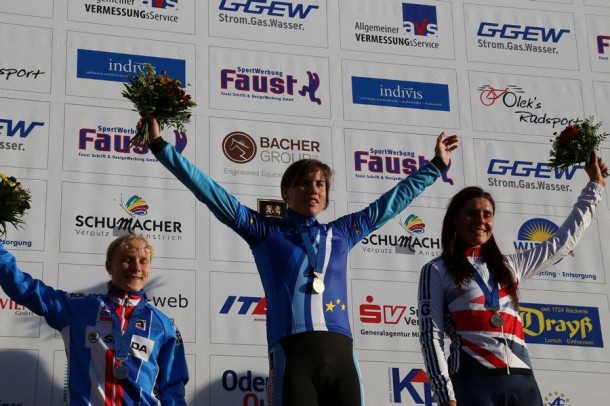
(268, 82)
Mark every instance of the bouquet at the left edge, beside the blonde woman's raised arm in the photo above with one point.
(14, 201)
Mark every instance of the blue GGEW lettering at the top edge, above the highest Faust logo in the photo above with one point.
(268, 7)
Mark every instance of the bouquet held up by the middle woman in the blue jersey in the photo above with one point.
(160, 96)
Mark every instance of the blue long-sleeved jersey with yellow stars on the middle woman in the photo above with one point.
(280, 254)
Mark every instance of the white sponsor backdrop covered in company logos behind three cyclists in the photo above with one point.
(362, 85)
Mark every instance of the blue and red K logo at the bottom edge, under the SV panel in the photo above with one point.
(415, 383)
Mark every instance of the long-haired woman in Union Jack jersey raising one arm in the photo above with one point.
(470, 294)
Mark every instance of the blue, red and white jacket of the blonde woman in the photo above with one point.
(157, 370)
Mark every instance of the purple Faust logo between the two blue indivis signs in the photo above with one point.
(270, 85)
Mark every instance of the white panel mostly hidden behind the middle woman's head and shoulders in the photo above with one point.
(226, 245)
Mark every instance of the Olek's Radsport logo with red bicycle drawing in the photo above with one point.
(528, 109)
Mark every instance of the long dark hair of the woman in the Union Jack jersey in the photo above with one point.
(453, 248)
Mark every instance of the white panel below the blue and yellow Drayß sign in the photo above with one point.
(572, 389)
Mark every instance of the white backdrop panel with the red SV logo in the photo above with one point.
(386, 318)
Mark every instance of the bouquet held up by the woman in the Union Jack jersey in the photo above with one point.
(576, 143)
